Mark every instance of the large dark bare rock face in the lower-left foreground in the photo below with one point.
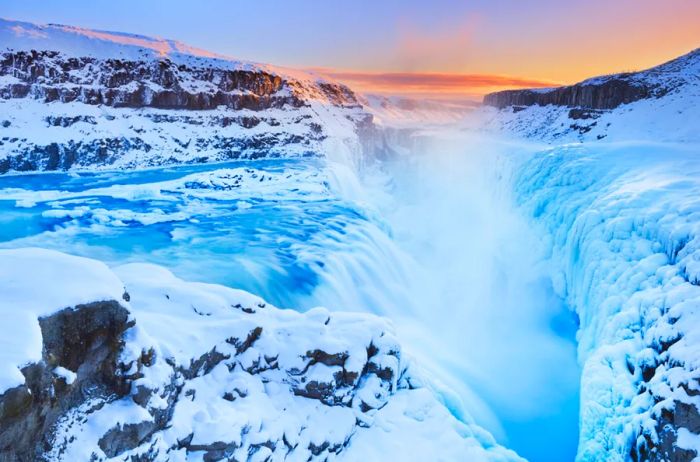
(85, 340)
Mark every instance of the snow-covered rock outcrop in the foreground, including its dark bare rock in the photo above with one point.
(187, 371)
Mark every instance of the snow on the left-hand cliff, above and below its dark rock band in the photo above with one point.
(148, 137)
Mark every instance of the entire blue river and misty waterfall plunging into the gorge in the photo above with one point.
(431, 242)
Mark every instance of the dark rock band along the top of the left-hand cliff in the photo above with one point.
(51, 76)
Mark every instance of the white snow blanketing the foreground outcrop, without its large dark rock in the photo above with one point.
(247, 399)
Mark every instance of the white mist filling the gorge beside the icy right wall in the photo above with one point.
(465, 279)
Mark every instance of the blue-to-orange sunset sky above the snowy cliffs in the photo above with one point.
(436, 47)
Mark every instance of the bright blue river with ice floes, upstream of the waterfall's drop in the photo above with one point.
(271, 246)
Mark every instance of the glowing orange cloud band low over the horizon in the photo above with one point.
(429, 83)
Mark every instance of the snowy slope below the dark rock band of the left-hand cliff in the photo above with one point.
(150, 142)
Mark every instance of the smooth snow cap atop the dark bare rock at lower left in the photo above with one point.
(26, 296)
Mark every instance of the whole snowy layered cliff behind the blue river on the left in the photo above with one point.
(75, 98)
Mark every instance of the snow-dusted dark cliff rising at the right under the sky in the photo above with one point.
(658, 104)
